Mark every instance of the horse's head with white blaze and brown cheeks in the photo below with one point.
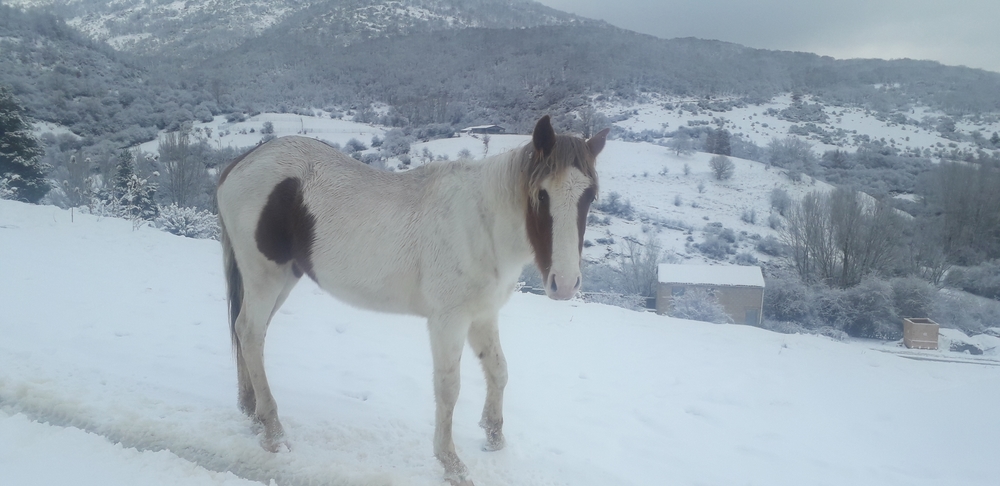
(561, 185)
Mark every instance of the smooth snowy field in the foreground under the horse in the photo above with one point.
(116, 369)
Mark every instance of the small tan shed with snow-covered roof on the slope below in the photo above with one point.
(740, 289)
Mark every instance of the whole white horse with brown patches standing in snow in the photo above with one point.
(446, 241)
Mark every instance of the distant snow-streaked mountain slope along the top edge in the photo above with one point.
(199, 26)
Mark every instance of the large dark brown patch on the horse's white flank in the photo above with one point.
(286, 230)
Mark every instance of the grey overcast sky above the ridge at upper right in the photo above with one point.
(953, 32)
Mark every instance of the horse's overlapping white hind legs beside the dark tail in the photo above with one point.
(262, 297)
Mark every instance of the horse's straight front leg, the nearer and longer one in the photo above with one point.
(448, 336)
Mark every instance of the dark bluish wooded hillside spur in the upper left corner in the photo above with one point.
(63, 77)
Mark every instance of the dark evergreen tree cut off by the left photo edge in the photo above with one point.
(22, 176)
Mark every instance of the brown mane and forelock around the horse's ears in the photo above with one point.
(569, 151)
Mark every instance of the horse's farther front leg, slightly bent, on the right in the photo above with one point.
(484, 337)
